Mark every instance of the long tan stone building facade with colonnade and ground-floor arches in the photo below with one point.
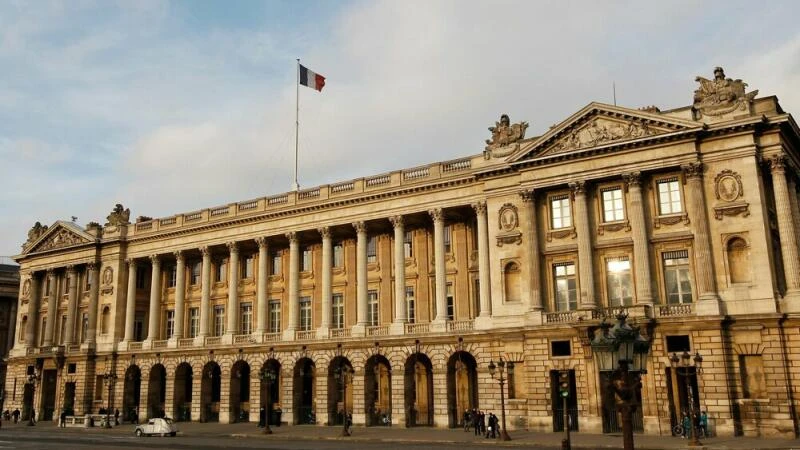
(389, 295)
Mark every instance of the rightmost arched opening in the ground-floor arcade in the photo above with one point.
(462, 386)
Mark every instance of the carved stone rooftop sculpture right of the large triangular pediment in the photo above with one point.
(721, 95)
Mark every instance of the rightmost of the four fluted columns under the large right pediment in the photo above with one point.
(704, 261)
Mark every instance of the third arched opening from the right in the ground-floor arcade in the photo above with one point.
(378, 391)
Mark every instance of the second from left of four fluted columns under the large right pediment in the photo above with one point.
(586, 299)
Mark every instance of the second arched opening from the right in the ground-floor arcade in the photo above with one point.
(418, 390)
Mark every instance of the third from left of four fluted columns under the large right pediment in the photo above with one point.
(641, 245)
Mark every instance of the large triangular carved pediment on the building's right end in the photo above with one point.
(601, 125)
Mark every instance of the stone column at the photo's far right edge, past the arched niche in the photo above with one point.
(791, 263)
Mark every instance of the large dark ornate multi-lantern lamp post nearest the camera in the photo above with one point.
(624, 351)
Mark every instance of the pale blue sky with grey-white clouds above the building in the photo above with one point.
(169, 107)
